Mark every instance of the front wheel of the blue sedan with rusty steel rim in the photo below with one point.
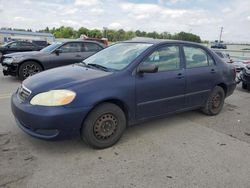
(104, 126)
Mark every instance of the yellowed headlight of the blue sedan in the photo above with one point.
(53, 98)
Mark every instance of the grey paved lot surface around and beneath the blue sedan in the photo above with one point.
(184, 150)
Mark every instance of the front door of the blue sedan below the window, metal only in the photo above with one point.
(159, 93)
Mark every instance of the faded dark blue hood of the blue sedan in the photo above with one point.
(62, 78)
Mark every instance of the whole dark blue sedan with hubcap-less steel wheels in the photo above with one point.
(122, 85)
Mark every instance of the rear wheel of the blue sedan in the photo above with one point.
(215, 102)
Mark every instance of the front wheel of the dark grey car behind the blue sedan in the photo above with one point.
(28, 68)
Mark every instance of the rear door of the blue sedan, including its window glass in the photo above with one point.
(201, 75)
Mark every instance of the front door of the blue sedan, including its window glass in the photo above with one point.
(161, 92)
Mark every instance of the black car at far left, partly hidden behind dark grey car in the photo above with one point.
(18, 46)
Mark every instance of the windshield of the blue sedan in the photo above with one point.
(118, 56)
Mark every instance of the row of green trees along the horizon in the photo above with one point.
(115, 35)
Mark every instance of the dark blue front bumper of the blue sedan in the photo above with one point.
(50, 123)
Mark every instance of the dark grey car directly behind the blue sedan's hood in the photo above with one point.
(26, 64)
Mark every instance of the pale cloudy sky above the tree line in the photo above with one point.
(202, 17)
